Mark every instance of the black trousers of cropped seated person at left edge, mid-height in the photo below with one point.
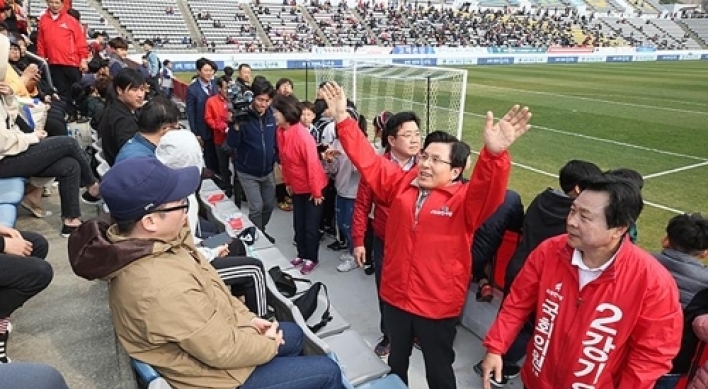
(21, 278)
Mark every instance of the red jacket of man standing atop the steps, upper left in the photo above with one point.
(61, 41)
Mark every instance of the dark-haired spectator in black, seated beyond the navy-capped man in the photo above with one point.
(119, 120)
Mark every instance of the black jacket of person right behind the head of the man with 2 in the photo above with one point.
(545, 218)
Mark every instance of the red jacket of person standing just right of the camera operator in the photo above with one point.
(301, 166)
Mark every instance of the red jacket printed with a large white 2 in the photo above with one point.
(620, 332)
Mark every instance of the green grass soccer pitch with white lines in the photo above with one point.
(649, 116)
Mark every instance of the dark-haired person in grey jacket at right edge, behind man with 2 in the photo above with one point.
(685, 246)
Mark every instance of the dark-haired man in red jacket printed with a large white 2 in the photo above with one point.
(607, 314)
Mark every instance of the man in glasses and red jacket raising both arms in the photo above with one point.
(432, 216)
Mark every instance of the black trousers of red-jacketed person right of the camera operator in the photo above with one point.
(306, 217)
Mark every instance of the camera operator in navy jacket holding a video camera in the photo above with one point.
(253, 140)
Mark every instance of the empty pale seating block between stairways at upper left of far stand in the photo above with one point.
(158, 20)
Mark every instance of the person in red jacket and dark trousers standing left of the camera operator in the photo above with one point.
(217, 117)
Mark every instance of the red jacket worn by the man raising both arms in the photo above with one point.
(427, 264)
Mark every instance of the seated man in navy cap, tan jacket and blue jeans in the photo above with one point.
(169, 307)
